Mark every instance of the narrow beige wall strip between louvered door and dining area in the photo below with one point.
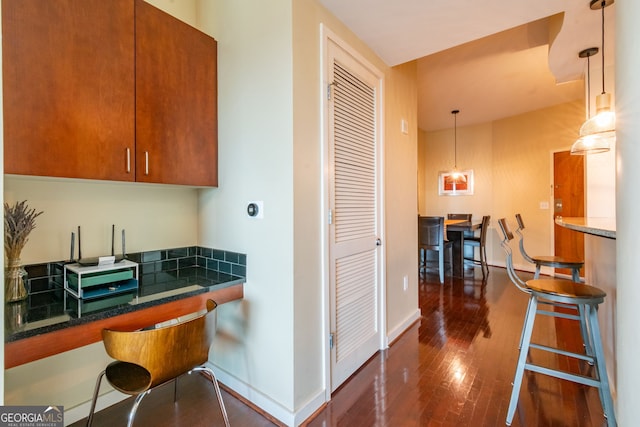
(401, 204)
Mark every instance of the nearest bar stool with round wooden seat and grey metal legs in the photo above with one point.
(559, 292)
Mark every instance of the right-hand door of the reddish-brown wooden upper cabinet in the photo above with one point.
(176, 101)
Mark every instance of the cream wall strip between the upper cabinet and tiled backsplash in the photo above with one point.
(141, 209)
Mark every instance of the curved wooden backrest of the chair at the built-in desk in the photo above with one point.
(166, 352)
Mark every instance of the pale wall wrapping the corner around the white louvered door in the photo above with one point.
(270, 346)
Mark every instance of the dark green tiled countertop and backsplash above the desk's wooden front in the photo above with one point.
(50, 307)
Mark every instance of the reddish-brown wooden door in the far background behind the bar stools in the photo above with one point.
(568, 195)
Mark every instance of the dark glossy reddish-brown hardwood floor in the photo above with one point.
(453, 367)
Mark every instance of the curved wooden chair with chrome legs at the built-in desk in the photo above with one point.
(149, 358)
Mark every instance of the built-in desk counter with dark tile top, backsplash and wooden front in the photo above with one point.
(173, 283)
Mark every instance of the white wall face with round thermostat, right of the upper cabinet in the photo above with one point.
(254, 349)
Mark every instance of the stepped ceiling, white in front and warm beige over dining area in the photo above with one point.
(489, 59)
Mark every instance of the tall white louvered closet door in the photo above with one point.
(354, 255)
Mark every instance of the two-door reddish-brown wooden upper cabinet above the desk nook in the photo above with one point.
(108, 89)
